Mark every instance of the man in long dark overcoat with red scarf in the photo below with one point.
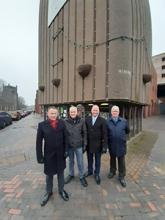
(54, 134)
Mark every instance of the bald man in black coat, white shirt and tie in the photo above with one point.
(96, 141)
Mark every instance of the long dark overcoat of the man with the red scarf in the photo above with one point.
(53, 150)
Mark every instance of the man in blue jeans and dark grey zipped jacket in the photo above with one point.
(77, 144)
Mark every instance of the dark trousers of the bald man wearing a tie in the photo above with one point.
(97, 157)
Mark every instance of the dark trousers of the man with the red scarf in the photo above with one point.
(49, 182)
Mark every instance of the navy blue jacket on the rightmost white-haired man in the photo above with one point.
(117, 136)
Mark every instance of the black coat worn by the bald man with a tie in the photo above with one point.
(96, 134)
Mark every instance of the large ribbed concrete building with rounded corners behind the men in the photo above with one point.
(96, 52)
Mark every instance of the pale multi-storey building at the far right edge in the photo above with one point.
(159, 64)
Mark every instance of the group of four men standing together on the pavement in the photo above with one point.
(72, 137)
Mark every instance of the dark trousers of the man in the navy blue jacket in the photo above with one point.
(121, 165)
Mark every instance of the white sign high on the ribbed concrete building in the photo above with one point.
(54, 7)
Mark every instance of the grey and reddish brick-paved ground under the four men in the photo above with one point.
(22, 180)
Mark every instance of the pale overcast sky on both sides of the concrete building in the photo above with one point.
(19, 42)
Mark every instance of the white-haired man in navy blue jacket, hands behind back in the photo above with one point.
(117, 130)
